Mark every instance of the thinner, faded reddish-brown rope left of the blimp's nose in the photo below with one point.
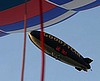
(24, 45)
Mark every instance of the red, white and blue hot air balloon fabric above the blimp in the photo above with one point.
(54, 11)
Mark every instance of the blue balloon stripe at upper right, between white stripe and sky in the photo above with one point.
(91, 5)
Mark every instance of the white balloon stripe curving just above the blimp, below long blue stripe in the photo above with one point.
(50, 22)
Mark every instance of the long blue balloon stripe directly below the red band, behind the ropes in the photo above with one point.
(51, 14)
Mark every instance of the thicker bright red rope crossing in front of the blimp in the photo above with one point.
(42, 40)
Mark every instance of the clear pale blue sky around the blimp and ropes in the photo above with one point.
(81, 31)
